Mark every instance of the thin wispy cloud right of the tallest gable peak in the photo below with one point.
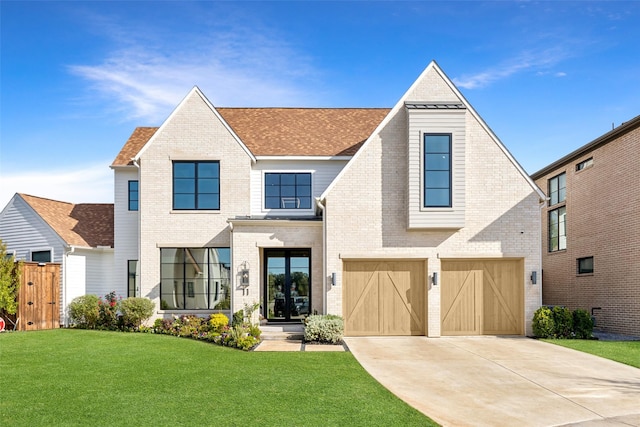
(526, 61)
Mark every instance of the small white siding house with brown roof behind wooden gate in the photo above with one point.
(78, 236)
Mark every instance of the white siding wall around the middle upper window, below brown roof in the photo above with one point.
(322, 174)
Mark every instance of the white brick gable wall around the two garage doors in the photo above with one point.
(367, 208)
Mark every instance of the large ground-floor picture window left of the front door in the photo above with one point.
(195, 278)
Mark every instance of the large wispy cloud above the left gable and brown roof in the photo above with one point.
(233, 69)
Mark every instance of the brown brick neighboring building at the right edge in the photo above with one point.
(591, 229)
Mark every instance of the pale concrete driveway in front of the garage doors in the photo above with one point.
(502, 381)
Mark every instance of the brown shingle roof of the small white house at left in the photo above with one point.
(83, 224)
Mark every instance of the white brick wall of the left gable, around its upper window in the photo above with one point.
(193, 132)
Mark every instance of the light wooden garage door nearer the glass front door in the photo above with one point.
(384, 297)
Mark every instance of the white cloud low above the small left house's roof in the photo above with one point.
(84, 184)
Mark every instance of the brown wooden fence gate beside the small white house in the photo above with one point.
(39, 297)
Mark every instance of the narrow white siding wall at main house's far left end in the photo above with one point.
(127, 225)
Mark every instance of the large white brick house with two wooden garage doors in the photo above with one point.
(414, 220)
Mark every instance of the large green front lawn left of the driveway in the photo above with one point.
(81, 377)
